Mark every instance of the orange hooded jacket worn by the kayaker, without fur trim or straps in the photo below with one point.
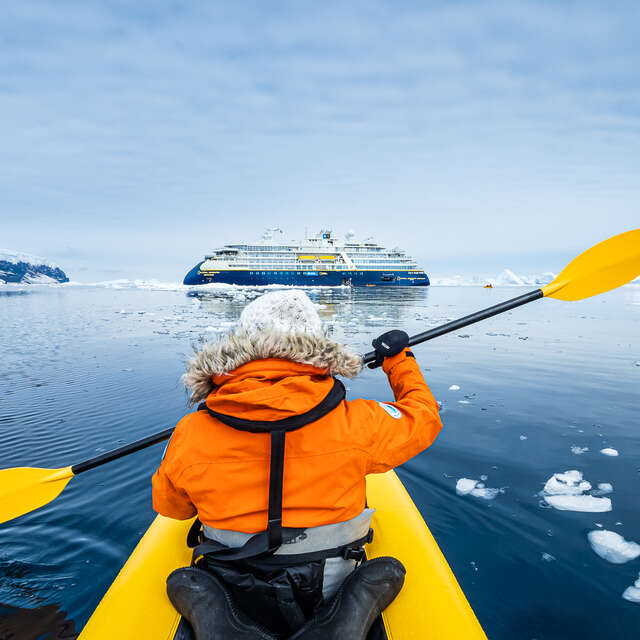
(222, 474)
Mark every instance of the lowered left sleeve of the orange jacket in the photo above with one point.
(168, 499)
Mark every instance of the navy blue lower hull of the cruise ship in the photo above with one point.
(308, 278)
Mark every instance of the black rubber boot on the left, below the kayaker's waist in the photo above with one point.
(202, 599)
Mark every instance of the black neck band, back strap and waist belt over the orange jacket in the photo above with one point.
(266, 542)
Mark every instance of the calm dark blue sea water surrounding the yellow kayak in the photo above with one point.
(84, 370)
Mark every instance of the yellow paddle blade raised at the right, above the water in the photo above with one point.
(605, 266)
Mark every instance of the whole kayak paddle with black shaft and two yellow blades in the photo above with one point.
(605, 266)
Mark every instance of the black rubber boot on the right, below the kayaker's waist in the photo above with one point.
(362, 597)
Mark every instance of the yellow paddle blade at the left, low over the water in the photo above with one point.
(25, 489)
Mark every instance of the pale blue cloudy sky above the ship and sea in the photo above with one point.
(477, 135)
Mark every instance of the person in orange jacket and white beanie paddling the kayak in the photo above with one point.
(281, 527)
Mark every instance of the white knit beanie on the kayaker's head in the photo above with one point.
(284, 311)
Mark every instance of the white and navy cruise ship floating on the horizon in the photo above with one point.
(320, 260)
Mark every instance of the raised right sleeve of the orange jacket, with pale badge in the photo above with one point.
(394, 432)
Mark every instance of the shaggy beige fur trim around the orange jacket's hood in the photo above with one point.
(238, 347)
